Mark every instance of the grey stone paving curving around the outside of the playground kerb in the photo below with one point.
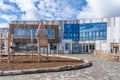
(100, 70)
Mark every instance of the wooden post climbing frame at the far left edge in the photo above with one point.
(8, 46)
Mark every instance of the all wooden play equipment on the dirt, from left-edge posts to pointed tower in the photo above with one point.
(42, 41)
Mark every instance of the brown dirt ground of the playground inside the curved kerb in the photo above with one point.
(28, 62)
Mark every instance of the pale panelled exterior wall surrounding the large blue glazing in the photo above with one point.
(113, 31)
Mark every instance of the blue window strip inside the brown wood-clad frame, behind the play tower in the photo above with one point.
(27, 33)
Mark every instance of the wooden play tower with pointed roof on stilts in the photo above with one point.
(42, 40)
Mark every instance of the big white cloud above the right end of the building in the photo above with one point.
(100, 8)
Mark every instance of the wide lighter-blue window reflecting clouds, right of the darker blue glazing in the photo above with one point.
(93, 31)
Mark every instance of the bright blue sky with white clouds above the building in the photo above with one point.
(11, 10)
